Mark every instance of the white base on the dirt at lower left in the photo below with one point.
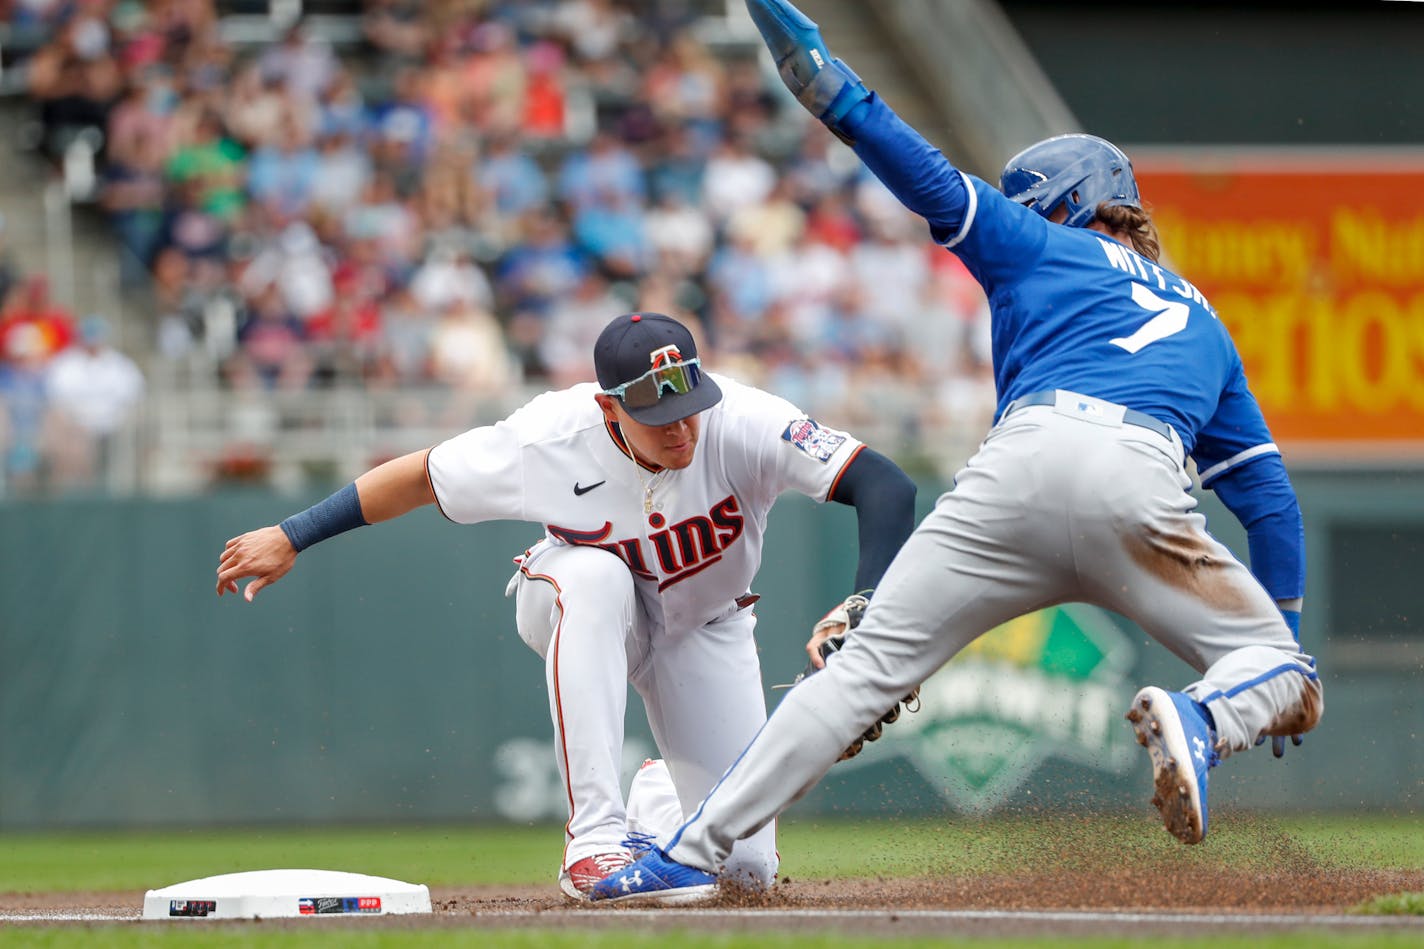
(287, 893)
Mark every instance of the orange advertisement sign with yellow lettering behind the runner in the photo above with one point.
(1316, 264)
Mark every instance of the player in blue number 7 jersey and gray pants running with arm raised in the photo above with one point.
(1111, 373)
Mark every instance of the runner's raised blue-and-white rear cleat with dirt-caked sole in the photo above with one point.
(1184, 749)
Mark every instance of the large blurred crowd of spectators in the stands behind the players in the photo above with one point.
(469, 193)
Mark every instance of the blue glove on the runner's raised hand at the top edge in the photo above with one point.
(827, 88)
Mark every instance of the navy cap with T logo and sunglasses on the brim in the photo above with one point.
(650, 363)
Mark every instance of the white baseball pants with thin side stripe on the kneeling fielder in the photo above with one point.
(580, 611)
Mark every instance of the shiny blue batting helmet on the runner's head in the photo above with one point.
(1080, 172)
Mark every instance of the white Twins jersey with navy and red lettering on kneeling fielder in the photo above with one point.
(698, 544)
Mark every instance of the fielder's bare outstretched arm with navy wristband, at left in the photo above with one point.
(268, 554)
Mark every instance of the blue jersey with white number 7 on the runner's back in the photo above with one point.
(1076, 310)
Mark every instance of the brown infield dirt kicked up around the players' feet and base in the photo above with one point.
(1067, 866)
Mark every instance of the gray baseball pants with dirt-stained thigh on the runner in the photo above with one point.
(1052, 509)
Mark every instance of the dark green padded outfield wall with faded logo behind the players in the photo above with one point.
(382, 680)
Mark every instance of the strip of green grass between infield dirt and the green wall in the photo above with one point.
(811, 850)
